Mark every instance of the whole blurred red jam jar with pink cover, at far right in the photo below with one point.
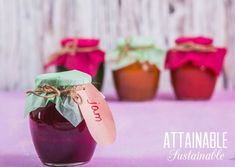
(195, 65)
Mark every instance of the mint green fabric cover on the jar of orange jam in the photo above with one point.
(136, 49)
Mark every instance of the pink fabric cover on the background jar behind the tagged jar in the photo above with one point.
(78, 54)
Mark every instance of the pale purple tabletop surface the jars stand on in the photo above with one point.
(140, 129)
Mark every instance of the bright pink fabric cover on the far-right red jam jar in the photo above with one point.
(203, 54)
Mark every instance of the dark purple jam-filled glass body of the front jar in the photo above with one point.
(57, 141)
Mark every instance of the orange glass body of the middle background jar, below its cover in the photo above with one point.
(130, 84)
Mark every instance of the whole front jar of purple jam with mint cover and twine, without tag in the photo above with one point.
(60, 134)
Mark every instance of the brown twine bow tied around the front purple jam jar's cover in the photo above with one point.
(52, 92)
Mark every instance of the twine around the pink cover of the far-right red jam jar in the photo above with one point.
(190, 46)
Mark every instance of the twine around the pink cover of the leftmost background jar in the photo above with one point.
(72, 48)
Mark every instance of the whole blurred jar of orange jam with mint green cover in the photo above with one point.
(136, 68)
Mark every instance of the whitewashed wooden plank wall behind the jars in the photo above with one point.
(31, 29)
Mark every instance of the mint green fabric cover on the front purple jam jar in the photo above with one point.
(64, 104)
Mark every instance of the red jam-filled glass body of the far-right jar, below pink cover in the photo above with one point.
(193, 83)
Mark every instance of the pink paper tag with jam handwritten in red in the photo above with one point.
(97, 115)
